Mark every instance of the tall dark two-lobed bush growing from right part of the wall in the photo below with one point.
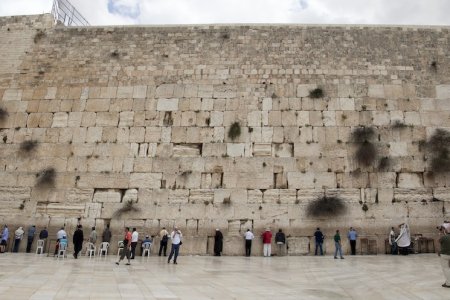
(366, 152)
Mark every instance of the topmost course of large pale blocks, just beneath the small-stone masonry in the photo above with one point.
(225, 91)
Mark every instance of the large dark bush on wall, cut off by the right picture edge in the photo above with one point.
(438, 147)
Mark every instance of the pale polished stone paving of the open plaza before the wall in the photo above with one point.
(30, 276)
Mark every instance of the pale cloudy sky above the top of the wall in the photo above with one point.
(129, 12)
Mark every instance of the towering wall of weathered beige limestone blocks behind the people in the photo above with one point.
(142, 114)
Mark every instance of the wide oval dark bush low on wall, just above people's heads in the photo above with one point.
(326, 207)
